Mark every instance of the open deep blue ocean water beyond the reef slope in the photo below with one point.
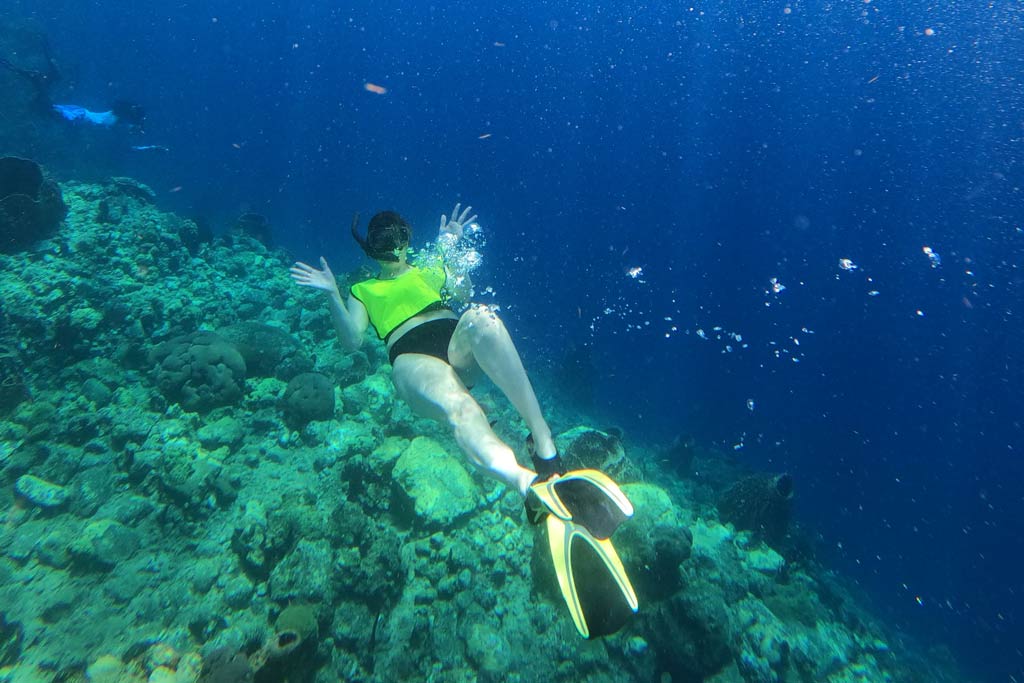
(795, 231)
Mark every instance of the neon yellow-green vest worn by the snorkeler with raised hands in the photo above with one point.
(392, 303)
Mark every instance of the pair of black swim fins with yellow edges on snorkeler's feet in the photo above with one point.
(584, 508)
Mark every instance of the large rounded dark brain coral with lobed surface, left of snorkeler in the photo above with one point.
(200, 371)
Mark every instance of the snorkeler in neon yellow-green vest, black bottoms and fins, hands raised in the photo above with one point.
(436, 356)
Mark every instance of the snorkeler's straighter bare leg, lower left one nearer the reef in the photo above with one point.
(433, 390)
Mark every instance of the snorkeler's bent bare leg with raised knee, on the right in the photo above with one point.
(481, 339)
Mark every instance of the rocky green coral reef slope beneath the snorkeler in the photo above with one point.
(164, 522)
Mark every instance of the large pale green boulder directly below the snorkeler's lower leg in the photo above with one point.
(439, 486)
